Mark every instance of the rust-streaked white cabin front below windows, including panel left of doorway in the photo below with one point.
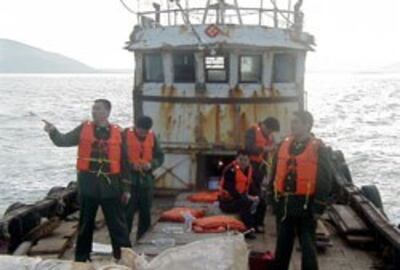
(209, 122)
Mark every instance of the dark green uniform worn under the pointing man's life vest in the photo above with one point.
(96, 190)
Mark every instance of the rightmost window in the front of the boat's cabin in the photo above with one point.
(284, 68)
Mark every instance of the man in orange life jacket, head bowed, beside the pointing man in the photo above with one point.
(143, 155)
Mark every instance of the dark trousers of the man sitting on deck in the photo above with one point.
(242, 206)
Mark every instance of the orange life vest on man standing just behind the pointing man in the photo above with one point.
(140, 152)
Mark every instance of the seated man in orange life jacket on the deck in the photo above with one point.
(234, 194)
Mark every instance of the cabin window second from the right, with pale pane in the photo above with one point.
(250, 68)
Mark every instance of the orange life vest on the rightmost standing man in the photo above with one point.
(304, 165)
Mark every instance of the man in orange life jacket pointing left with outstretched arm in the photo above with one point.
(99, 167)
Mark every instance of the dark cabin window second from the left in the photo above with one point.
(184, 67)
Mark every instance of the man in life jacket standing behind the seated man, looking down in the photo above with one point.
(260, 144)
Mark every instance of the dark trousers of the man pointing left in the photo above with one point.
(115, 220)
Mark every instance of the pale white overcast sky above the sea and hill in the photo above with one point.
(350, 34)
